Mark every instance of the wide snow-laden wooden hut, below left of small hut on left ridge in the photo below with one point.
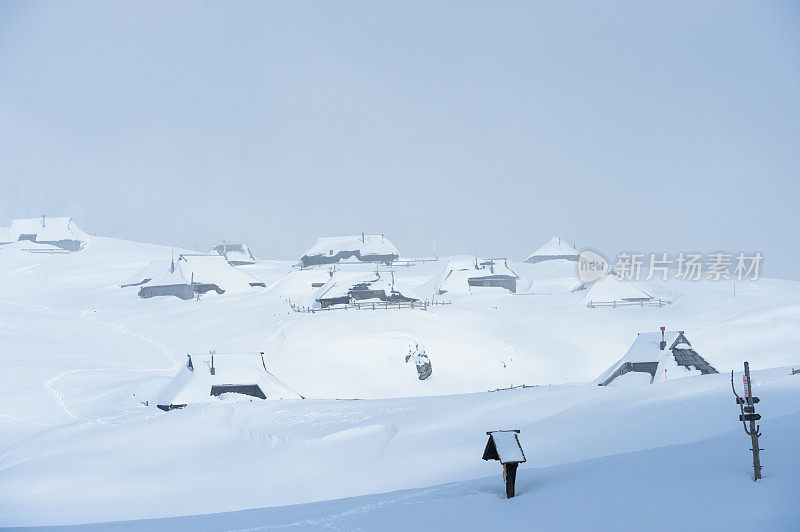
(190, 275)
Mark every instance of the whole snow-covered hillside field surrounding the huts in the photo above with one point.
(372, 446)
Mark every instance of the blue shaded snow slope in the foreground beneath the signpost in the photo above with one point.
(572, 496)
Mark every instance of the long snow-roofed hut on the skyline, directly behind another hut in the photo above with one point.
(364, 248)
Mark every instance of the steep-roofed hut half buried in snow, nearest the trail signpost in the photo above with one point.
(656, 357)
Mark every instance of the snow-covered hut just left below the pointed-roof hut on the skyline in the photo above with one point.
(461, 276)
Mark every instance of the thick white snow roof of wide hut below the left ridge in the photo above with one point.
(204, 269)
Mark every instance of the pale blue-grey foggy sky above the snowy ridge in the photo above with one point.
(486, 127)
